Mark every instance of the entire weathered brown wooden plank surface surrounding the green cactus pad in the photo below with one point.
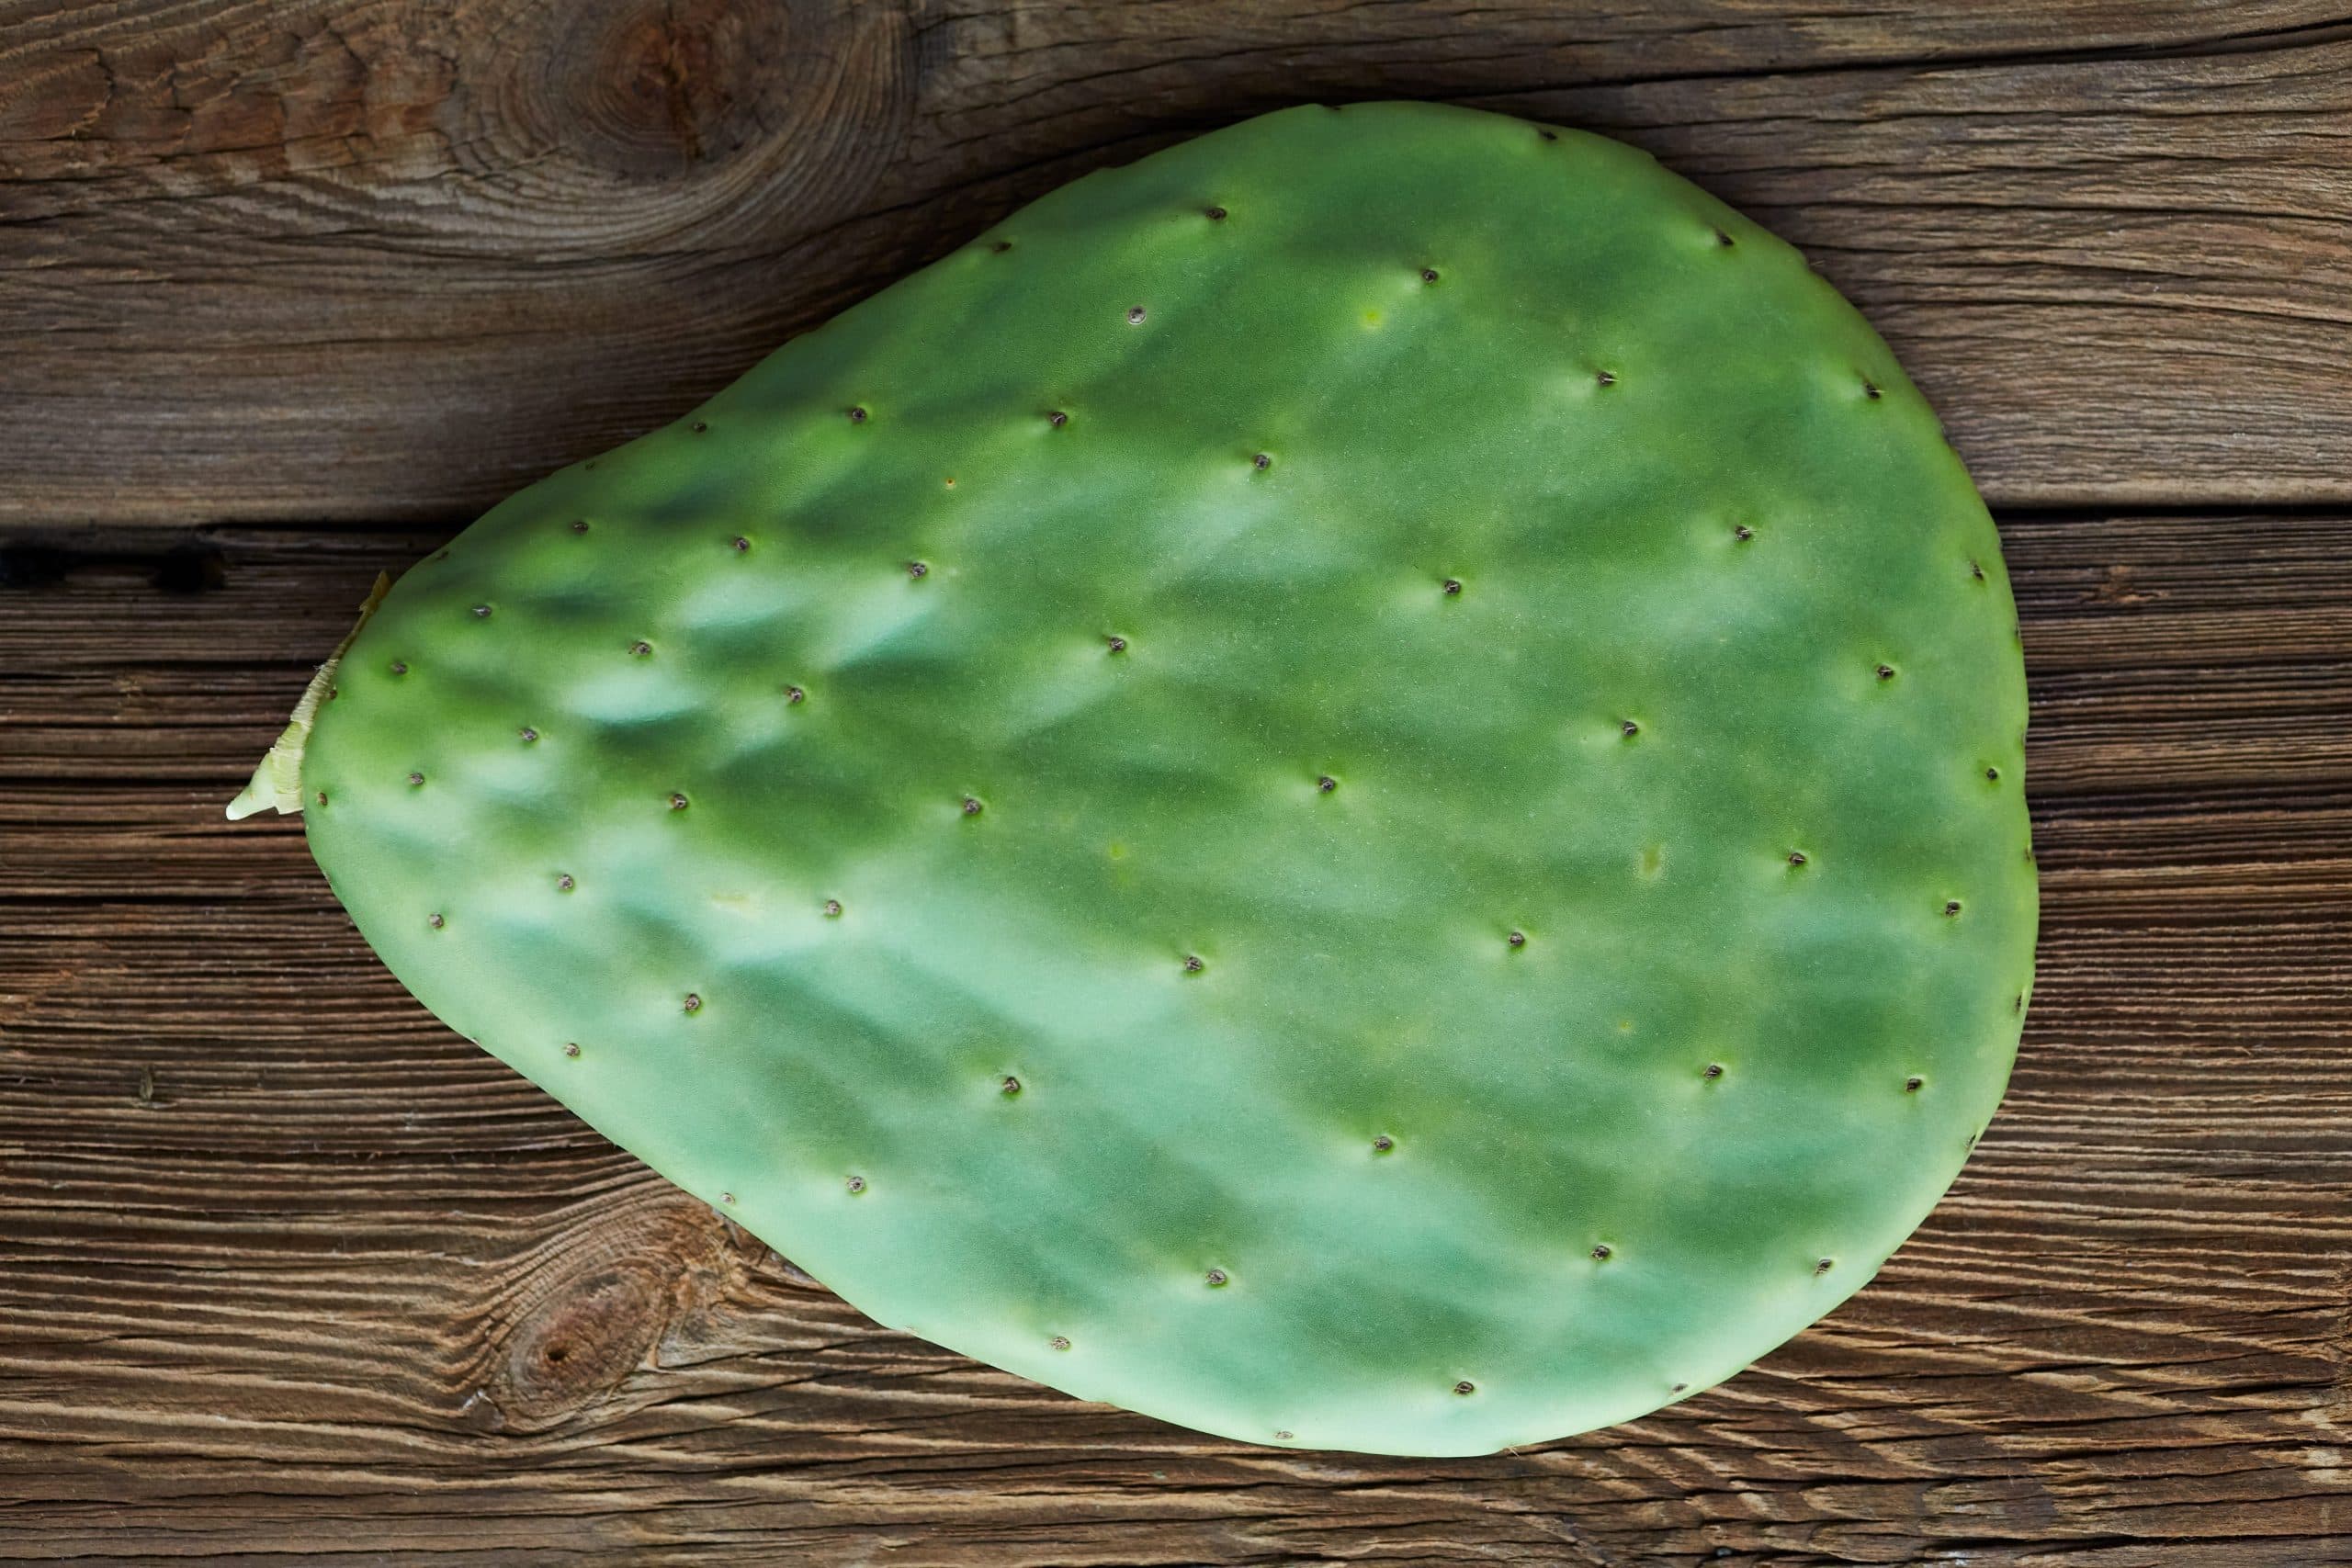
(290, 290)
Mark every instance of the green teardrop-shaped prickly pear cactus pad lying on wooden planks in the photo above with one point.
(1358, 786)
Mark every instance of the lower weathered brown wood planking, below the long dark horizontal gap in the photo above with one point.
(293, 1273)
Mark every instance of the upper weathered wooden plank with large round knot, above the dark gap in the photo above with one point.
(389, 260)
